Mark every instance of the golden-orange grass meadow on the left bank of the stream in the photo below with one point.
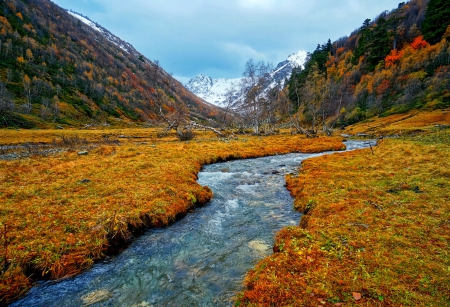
(64, 211)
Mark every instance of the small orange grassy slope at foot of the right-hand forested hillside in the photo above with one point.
(401, 123)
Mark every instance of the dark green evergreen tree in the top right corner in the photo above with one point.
(437, 19)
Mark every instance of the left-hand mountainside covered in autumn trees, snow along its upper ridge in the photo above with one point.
(56, 69)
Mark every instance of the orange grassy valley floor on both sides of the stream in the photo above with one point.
(376, 232)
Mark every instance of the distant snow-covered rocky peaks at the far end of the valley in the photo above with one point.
(215, 91)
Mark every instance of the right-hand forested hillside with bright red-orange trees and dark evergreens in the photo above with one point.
(397, 62)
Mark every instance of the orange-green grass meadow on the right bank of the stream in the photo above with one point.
(376, 232)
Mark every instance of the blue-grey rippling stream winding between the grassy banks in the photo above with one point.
(200, 260)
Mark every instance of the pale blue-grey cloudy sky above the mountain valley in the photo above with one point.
(217, 37)
